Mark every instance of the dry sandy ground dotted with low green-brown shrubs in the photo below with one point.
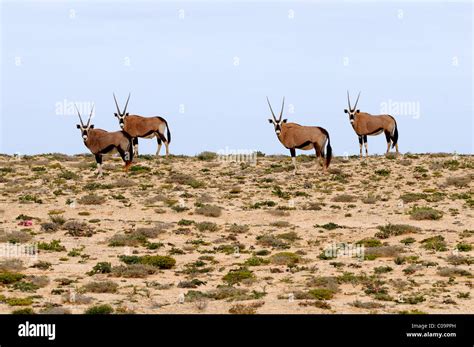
(238, 238)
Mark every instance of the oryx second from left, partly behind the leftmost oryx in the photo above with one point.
(145, 127)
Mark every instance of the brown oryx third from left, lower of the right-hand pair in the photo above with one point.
(294, 136)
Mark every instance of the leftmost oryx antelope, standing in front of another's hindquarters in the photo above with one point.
(100, 142)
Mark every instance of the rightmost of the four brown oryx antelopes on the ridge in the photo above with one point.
(366, 124)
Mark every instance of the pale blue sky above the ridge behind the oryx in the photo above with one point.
(218, 61)
